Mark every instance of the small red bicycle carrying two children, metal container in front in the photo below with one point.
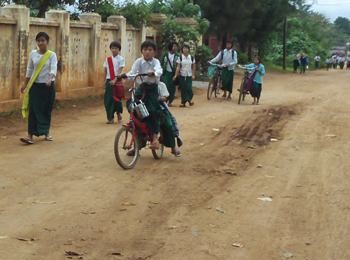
(134, 135)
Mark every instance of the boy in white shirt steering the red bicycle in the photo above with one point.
(147, 87)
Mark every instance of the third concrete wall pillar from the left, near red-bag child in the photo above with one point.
(95, 20)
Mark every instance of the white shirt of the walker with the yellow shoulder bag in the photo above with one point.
(50, 67)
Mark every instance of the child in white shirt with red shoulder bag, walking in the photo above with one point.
(114, 90)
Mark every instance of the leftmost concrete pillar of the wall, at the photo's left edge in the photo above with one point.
(20, 13)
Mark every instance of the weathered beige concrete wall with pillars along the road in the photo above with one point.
(81, 48)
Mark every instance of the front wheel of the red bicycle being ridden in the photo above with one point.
(126, 148)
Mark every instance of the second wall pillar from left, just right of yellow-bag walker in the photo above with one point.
(63, 18)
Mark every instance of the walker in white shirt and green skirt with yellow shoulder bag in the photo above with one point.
(39, 90)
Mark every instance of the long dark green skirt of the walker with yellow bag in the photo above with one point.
(41, 101)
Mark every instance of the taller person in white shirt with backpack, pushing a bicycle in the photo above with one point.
(228, 58)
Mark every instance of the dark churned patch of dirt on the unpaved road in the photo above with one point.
(264, 125)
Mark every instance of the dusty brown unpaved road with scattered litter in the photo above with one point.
(69, 199)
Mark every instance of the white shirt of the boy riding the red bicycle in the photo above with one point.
(141, 66)
